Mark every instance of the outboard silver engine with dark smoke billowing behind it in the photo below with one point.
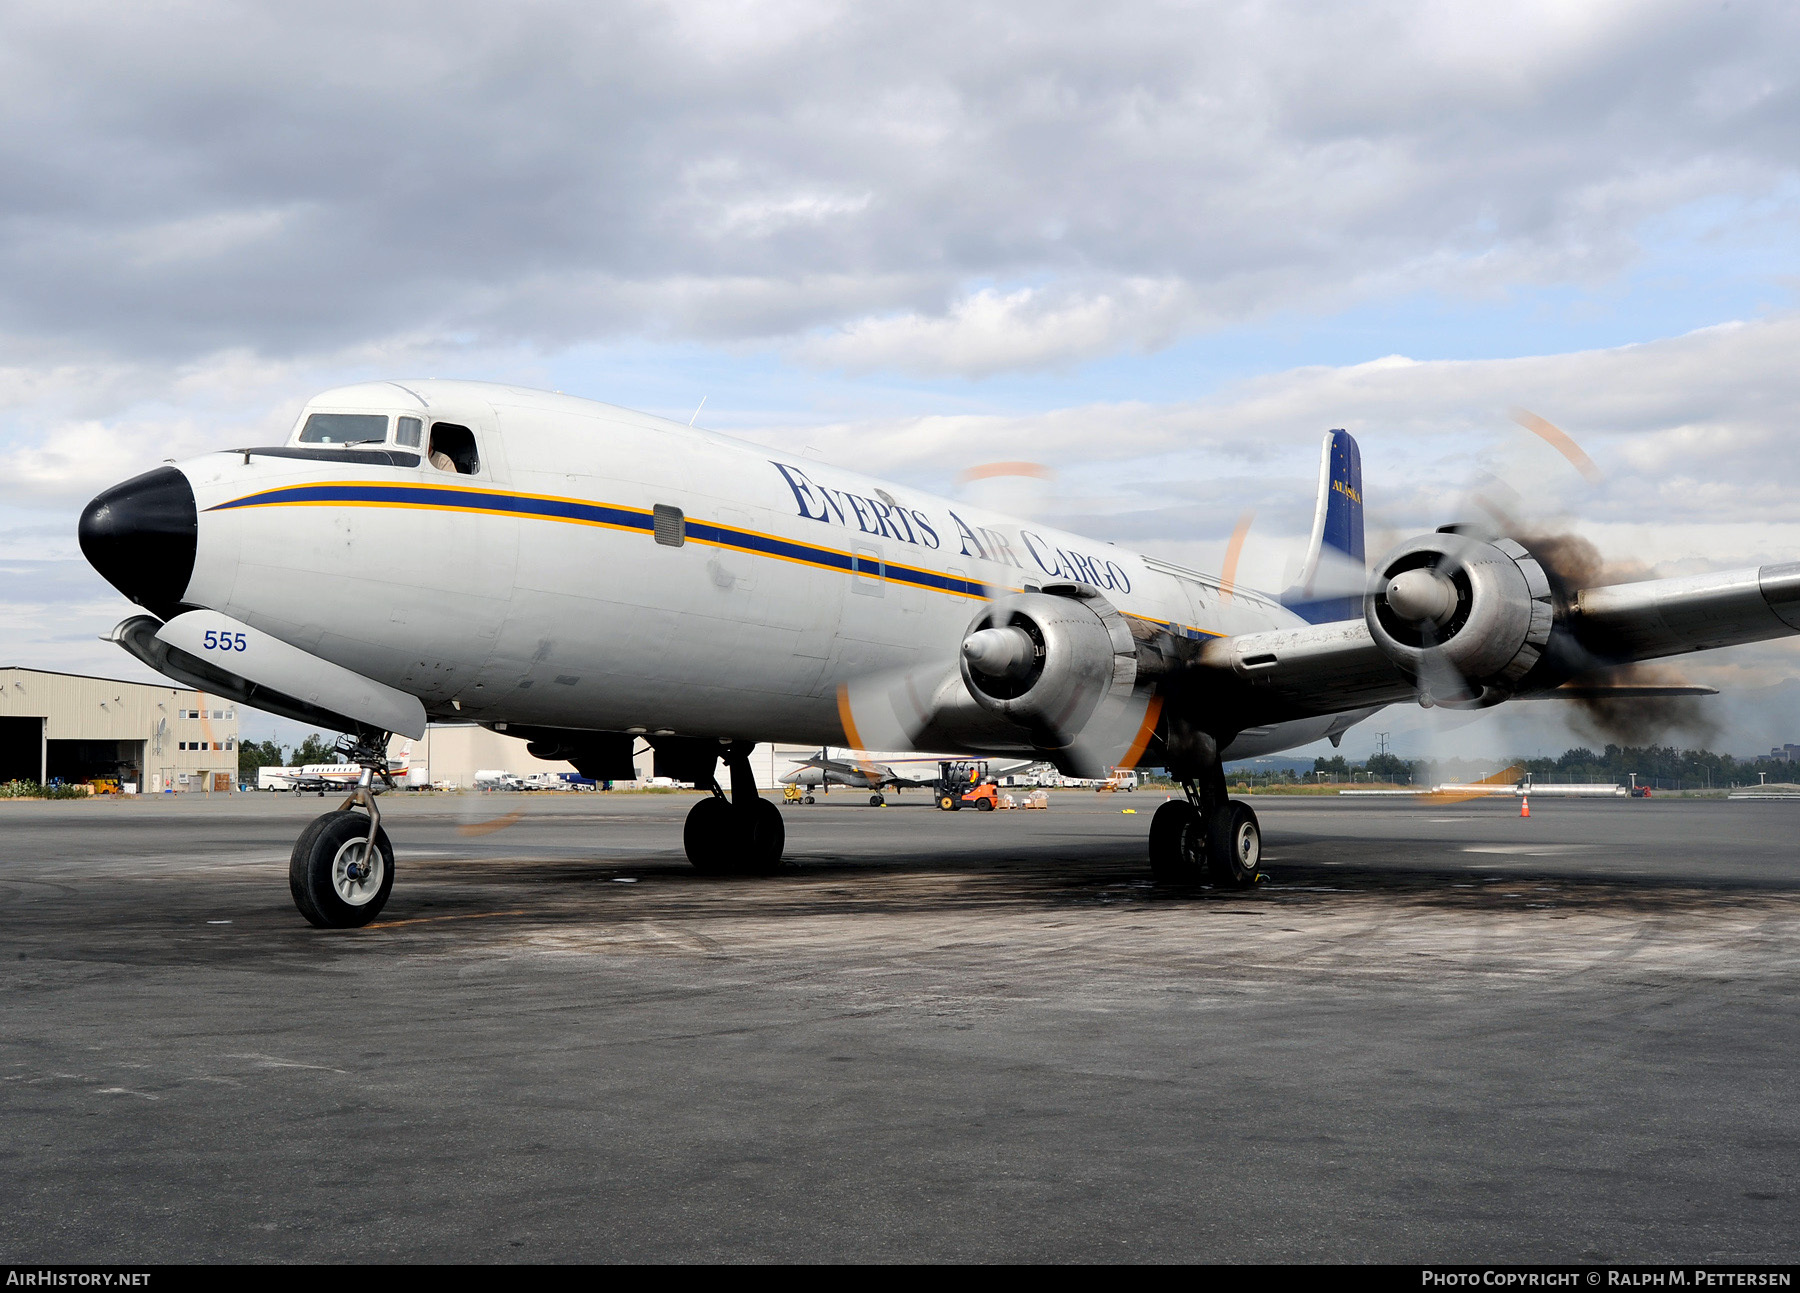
(1461, 615)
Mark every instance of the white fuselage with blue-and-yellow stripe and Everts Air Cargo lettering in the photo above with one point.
(535, 592)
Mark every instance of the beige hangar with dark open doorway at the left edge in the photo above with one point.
(76, 728)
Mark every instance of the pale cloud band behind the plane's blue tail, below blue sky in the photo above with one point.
(1682, 429)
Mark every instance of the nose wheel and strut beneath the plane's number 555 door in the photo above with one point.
(343, 865)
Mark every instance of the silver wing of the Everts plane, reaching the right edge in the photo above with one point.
(1551, 646)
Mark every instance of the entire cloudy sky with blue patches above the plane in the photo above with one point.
(1155, 248)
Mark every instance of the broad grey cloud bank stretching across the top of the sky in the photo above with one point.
(942, 188)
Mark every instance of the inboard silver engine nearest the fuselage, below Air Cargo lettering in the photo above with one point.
(1047, 660)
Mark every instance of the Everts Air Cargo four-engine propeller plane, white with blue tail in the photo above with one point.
(586, 577)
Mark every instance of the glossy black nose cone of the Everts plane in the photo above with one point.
(141, 538)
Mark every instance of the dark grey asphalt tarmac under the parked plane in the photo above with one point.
(1435, 1035)
